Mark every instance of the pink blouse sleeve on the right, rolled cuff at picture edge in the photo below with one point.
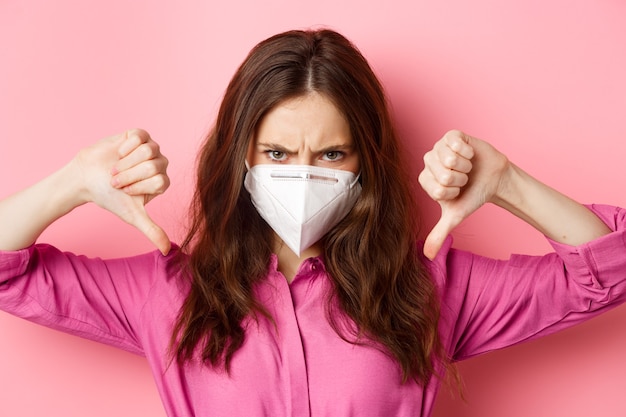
(489, 304)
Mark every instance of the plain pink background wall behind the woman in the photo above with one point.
(542, 80)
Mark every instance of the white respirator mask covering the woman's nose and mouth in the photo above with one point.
(301, 202)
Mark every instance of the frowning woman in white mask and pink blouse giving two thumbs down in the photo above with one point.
(301, 288)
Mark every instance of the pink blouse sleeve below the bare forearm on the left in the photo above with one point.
(93, 298)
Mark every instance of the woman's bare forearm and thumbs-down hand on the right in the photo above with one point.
(462, 173)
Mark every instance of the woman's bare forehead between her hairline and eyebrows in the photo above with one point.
(312, 118)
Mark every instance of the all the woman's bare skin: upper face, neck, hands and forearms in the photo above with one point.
(123, 172)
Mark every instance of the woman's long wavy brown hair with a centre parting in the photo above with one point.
(379, 279)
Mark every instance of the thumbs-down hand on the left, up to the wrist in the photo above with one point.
(121, 174)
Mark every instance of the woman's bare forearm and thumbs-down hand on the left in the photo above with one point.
(119, 173)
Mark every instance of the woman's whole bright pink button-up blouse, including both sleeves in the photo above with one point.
(301, 367)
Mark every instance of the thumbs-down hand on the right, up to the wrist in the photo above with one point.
(461, 173)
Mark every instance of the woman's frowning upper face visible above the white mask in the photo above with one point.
(306, 130)
